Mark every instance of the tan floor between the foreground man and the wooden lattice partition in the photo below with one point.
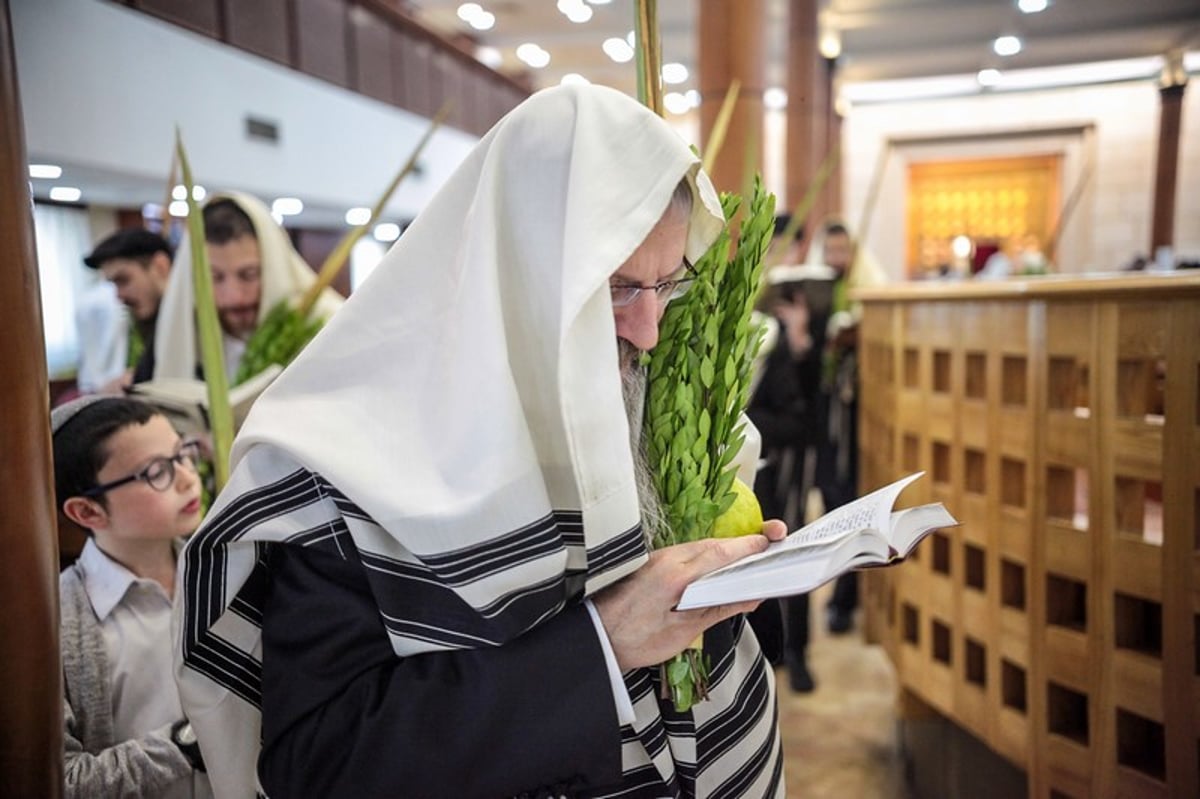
(841, 741)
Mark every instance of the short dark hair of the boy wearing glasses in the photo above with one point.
(81, 446)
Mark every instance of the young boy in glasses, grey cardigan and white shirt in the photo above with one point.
(123, 474)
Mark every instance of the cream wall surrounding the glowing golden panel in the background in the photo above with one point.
(1113, 221)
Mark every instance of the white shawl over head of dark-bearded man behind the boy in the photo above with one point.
(285, 277)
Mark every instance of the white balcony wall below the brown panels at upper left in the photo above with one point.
(104, 87)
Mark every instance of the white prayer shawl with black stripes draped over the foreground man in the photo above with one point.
(465, 412)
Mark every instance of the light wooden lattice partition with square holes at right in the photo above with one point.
(1060, 422)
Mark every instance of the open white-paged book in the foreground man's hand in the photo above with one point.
(863, 533)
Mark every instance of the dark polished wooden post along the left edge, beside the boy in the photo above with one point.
(31, 672)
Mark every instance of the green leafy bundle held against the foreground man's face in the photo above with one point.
(699, 386)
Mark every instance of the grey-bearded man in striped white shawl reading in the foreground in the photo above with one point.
(429, 575)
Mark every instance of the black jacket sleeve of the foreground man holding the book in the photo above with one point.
(345, 717)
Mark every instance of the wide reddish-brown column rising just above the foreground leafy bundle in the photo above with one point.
(731, 47)
